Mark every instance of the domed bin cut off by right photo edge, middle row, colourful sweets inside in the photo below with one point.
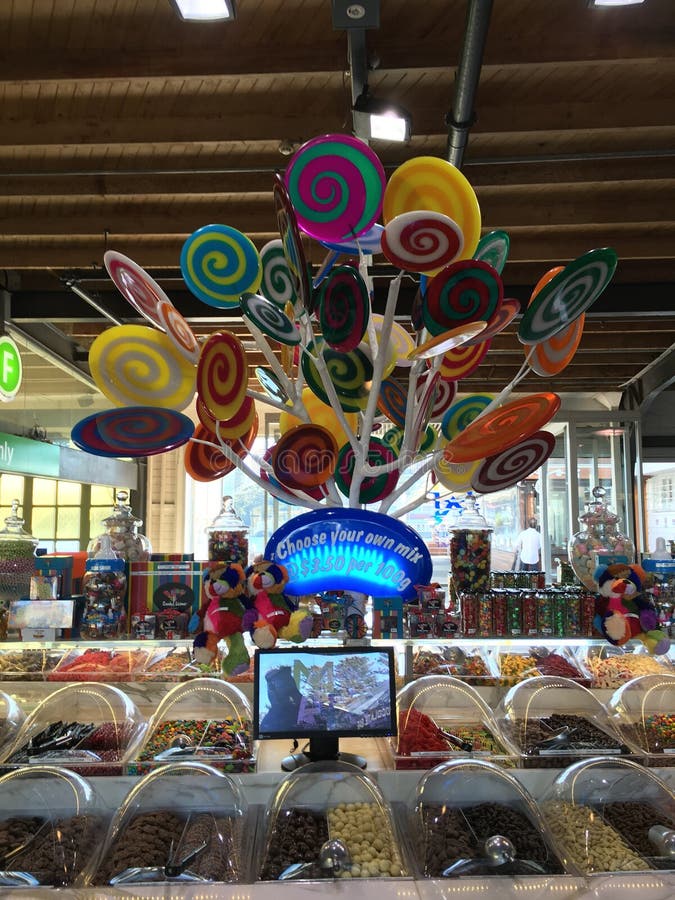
(643, 711)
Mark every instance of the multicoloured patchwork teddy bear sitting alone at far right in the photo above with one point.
(624, 610)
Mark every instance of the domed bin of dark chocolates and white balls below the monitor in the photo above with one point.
(329, 820)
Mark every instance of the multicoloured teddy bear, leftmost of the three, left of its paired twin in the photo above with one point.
(222, 614)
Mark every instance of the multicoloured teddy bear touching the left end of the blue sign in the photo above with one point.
(272, 614)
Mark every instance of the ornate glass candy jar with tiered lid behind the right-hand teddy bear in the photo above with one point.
(599, 535)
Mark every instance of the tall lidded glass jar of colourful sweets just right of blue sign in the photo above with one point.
(470, 548)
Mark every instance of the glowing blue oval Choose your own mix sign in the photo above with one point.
(351, 549)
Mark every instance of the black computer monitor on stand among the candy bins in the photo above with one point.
(321, 694)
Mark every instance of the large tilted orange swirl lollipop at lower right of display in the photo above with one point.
(503, 428)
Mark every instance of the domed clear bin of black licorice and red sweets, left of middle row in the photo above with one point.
(90, 729)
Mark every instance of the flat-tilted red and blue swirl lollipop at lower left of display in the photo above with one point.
(132, 431)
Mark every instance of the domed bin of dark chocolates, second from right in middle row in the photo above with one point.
(552, 722)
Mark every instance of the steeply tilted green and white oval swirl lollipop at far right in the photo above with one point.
(567, 295)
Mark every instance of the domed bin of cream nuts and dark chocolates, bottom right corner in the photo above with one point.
(611, 815)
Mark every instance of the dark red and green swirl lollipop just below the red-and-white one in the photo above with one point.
(466, 291)
